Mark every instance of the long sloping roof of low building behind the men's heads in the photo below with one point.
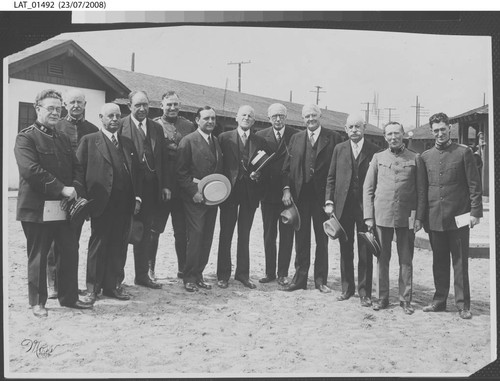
(225, 102)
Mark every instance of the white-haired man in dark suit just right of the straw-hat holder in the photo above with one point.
(239, 146)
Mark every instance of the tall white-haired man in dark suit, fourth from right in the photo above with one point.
(304, 180)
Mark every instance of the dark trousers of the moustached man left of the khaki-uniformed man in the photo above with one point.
(352, 216)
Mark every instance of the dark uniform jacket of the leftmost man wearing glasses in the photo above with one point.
(46, 164)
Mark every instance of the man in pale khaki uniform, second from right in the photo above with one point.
(393, 200)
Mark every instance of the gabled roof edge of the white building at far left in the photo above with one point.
(52, 48)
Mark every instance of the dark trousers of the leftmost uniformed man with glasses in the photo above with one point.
(39, 238)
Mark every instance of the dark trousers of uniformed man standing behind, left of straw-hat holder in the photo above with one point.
(175, 208)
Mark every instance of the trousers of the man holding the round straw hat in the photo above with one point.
(200, 223)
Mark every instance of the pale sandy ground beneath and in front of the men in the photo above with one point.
(238, 331)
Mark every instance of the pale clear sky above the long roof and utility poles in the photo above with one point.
(449, 74)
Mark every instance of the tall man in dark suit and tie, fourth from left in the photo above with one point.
(149, 141)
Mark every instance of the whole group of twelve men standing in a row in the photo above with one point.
(137, 171)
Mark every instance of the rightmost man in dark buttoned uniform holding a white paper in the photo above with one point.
(453, 190)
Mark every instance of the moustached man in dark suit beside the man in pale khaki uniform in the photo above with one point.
(344, 197)
